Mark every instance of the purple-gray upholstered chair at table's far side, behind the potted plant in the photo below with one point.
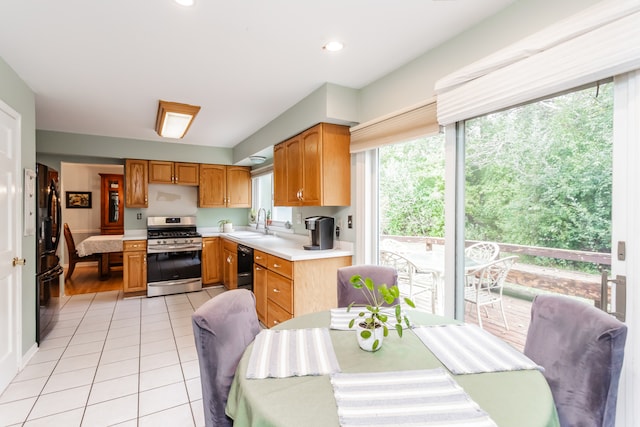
(378, 273)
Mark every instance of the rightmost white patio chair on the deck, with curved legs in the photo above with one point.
(486, 288)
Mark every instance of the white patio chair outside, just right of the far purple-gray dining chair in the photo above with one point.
(411, 282)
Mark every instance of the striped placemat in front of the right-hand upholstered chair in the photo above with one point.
(468, 349)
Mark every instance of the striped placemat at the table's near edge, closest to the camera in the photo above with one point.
(413, 398)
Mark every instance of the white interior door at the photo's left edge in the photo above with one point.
(10, 244)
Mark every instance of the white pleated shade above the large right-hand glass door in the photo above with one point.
(597, 43)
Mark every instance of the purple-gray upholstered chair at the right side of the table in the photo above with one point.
(581, 350)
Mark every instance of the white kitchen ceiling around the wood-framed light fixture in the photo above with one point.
(100, 67)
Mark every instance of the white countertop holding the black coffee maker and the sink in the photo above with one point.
(287, 246)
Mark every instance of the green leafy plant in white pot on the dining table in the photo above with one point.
(372, 322)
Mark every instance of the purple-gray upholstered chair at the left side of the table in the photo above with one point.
(223, 328)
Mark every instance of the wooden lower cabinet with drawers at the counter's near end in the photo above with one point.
(285, 289)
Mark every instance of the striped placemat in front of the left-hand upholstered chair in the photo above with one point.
(292, 353)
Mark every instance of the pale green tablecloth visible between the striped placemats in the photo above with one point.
(517, 398)
